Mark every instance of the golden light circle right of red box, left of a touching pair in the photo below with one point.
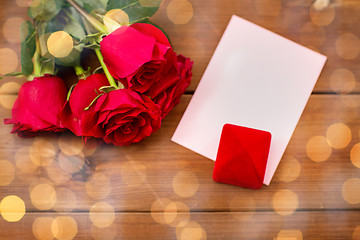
(318, 148)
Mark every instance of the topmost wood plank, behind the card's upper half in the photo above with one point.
(199, 37)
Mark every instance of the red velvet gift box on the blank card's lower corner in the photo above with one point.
(242, 156)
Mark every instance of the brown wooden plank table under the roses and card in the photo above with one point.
(159, 190)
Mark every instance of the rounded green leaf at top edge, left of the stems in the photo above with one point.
(45, 10)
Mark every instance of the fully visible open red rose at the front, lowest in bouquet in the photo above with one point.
(121, 117)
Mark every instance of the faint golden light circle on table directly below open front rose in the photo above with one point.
(133, 173)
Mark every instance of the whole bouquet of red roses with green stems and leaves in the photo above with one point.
(140, 78)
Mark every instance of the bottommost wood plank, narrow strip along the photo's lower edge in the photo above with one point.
(261, 225)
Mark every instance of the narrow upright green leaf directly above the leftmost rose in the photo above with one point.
(28, 46)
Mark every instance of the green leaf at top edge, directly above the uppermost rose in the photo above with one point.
(138, 10)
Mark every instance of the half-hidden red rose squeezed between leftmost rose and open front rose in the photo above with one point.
(82, 95)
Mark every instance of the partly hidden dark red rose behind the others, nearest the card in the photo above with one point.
(168, 98)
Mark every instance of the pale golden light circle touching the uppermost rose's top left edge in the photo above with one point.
(115, 18)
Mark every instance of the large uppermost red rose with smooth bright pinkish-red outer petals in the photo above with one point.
(141, 57)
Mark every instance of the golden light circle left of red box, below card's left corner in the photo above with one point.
(185, 184)
